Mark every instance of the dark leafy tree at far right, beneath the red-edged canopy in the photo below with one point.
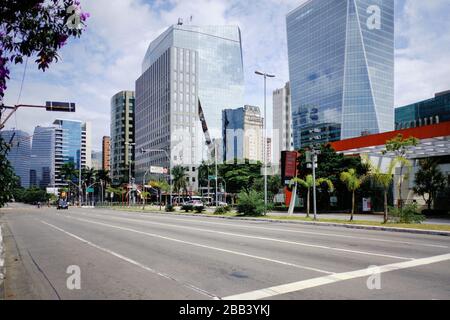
(429, 181)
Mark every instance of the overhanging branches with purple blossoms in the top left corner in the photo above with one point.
(36, 28)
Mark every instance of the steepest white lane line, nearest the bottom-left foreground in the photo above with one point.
(131, 261)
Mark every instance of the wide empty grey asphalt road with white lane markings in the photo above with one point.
(105, 254)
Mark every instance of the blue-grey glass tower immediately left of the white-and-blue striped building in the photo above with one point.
(43, 157)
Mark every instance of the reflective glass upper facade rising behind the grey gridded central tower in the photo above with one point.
(220, 66)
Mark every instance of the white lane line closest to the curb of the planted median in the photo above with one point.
(240, 225)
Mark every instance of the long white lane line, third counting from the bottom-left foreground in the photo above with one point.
(261, 238)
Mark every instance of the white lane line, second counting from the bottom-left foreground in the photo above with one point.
(205, 246)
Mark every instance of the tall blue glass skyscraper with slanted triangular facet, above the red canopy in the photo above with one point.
(341, 63)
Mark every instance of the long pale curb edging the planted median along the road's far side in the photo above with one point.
(323, 224)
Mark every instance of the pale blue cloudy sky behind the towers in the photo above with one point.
(108, 57)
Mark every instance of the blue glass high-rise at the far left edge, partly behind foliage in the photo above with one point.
(19, 154)
